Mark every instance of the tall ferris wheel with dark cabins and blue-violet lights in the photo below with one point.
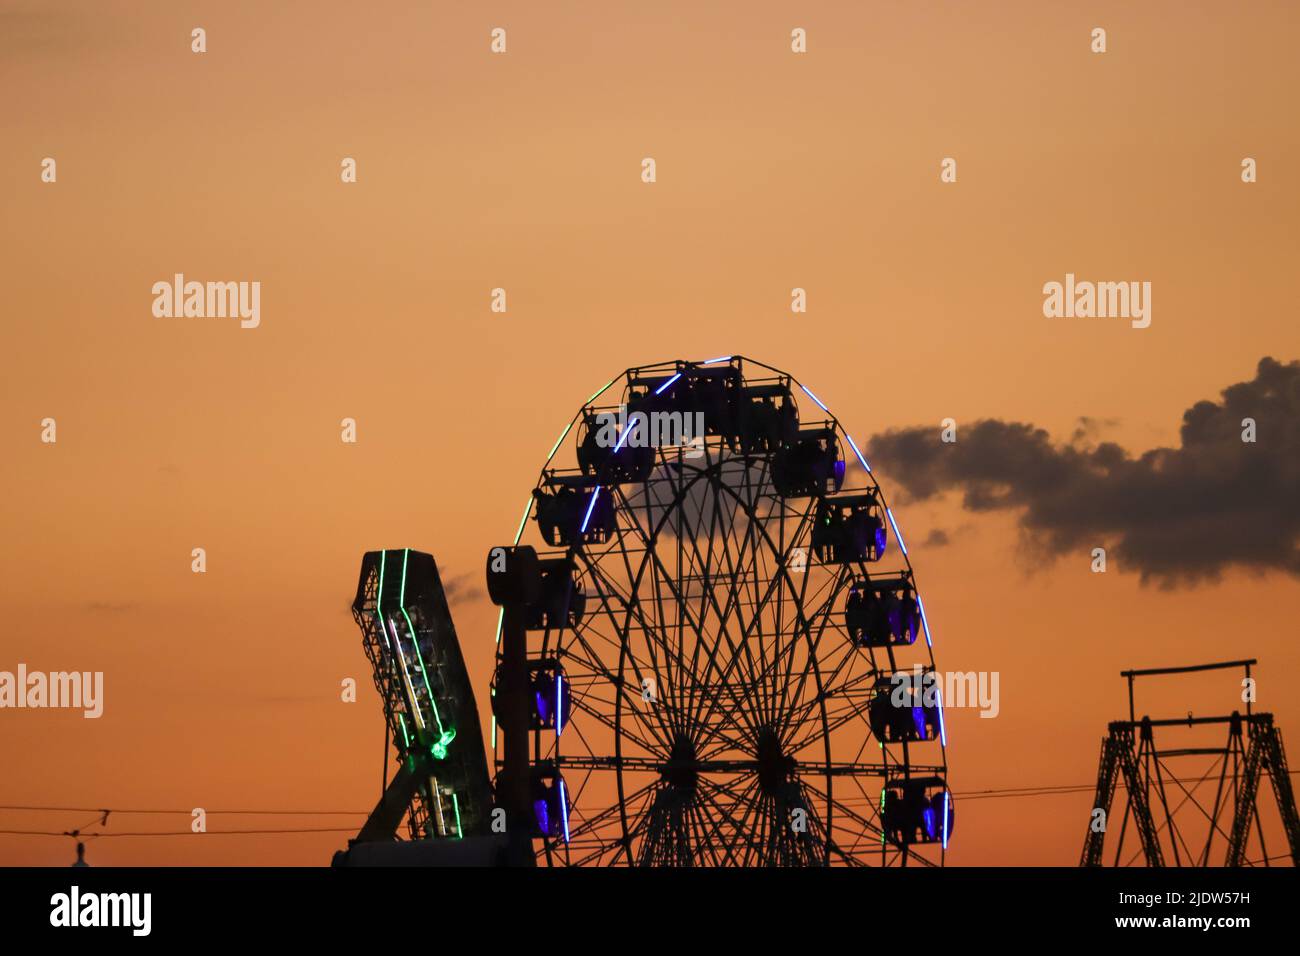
(729, 663)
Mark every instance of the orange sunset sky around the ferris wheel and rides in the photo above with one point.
(522, 171)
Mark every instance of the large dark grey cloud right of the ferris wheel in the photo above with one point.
(1173, 514)
